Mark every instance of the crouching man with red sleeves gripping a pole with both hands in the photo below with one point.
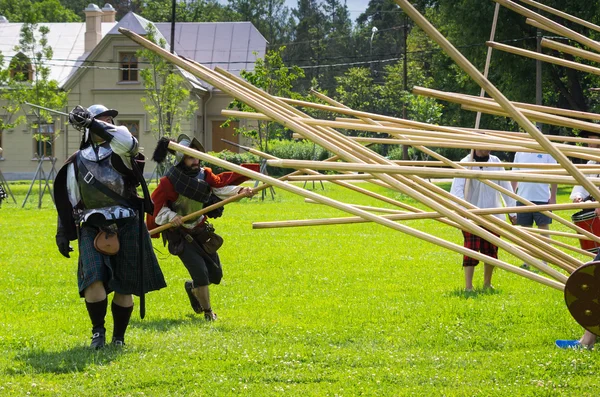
(186, 188)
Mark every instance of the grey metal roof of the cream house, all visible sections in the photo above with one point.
(229, 45)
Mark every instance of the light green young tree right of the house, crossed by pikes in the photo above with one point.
(273, 76)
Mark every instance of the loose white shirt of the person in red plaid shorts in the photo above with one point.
(480, 194)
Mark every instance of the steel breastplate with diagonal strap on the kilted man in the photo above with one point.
(99, 168)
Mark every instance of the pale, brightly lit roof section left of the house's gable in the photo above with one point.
(66, 39)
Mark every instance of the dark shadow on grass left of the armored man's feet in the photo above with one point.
(76, 359)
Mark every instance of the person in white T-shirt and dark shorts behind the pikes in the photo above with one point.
(537, 193)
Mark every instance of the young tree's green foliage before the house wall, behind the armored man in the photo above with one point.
(166, 98)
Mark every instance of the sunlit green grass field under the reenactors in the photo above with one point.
(321, 311)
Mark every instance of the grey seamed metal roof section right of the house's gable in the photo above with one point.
(229, 45)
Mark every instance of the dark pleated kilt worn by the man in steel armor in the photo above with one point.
(120, 272)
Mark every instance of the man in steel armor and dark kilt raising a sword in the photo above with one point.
(97, 204)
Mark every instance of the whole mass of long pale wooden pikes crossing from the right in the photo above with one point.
(410, 178)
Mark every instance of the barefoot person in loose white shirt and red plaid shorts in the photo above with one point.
(482, 196)
